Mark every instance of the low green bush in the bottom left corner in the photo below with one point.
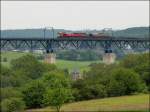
(12, 105)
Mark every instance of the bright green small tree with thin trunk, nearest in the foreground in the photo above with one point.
(58, 89)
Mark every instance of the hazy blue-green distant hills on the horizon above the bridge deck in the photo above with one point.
(39, 33)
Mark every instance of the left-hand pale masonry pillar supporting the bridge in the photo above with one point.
(50, 58)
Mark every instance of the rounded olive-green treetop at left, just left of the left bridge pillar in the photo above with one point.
(29, 66)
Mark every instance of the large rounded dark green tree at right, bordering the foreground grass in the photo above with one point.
(126, 80)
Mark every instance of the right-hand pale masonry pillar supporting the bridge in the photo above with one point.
(109, 58)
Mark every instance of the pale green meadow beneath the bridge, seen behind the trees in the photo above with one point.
(63, 64)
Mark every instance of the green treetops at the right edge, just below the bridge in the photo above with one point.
(140, 64)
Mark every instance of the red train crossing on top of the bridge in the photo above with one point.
(82, 35)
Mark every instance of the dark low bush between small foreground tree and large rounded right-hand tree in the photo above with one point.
(83, 90)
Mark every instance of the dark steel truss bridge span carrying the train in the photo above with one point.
(49, 44)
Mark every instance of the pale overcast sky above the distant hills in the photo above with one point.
(74, 15)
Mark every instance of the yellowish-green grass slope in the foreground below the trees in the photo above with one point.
(123, 103)
